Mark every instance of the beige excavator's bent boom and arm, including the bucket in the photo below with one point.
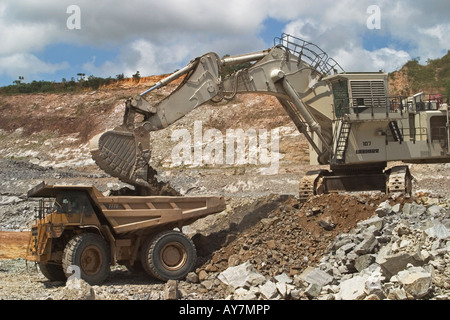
(291, 72)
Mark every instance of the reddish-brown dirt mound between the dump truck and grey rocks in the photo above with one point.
(294, 235)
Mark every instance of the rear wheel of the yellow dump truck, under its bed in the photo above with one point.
(169, 255)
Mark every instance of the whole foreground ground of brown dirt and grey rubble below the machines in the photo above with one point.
(398, 250)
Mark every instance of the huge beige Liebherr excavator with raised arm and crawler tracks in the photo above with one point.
(351, 122)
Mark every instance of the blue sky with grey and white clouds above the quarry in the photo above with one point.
(55, 39)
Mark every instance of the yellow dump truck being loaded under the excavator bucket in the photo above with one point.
(79, 229)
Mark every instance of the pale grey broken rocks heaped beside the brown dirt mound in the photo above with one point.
(399, 253)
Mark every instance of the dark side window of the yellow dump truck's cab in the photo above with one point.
(73, 202)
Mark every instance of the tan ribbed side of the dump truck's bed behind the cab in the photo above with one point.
(133, 213)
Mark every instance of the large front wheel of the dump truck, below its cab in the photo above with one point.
(91, 254)
